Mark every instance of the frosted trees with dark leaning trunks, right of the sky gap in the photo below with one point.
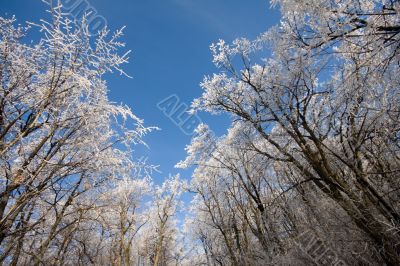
(319, 116)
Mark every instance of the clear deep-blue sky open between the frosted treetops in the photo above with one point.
(170, 41)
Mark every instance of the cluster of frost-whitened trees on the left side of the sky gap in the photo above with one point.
(61, 140)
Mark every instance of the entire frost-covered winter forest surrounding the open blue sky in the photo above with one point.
(307, 172)
